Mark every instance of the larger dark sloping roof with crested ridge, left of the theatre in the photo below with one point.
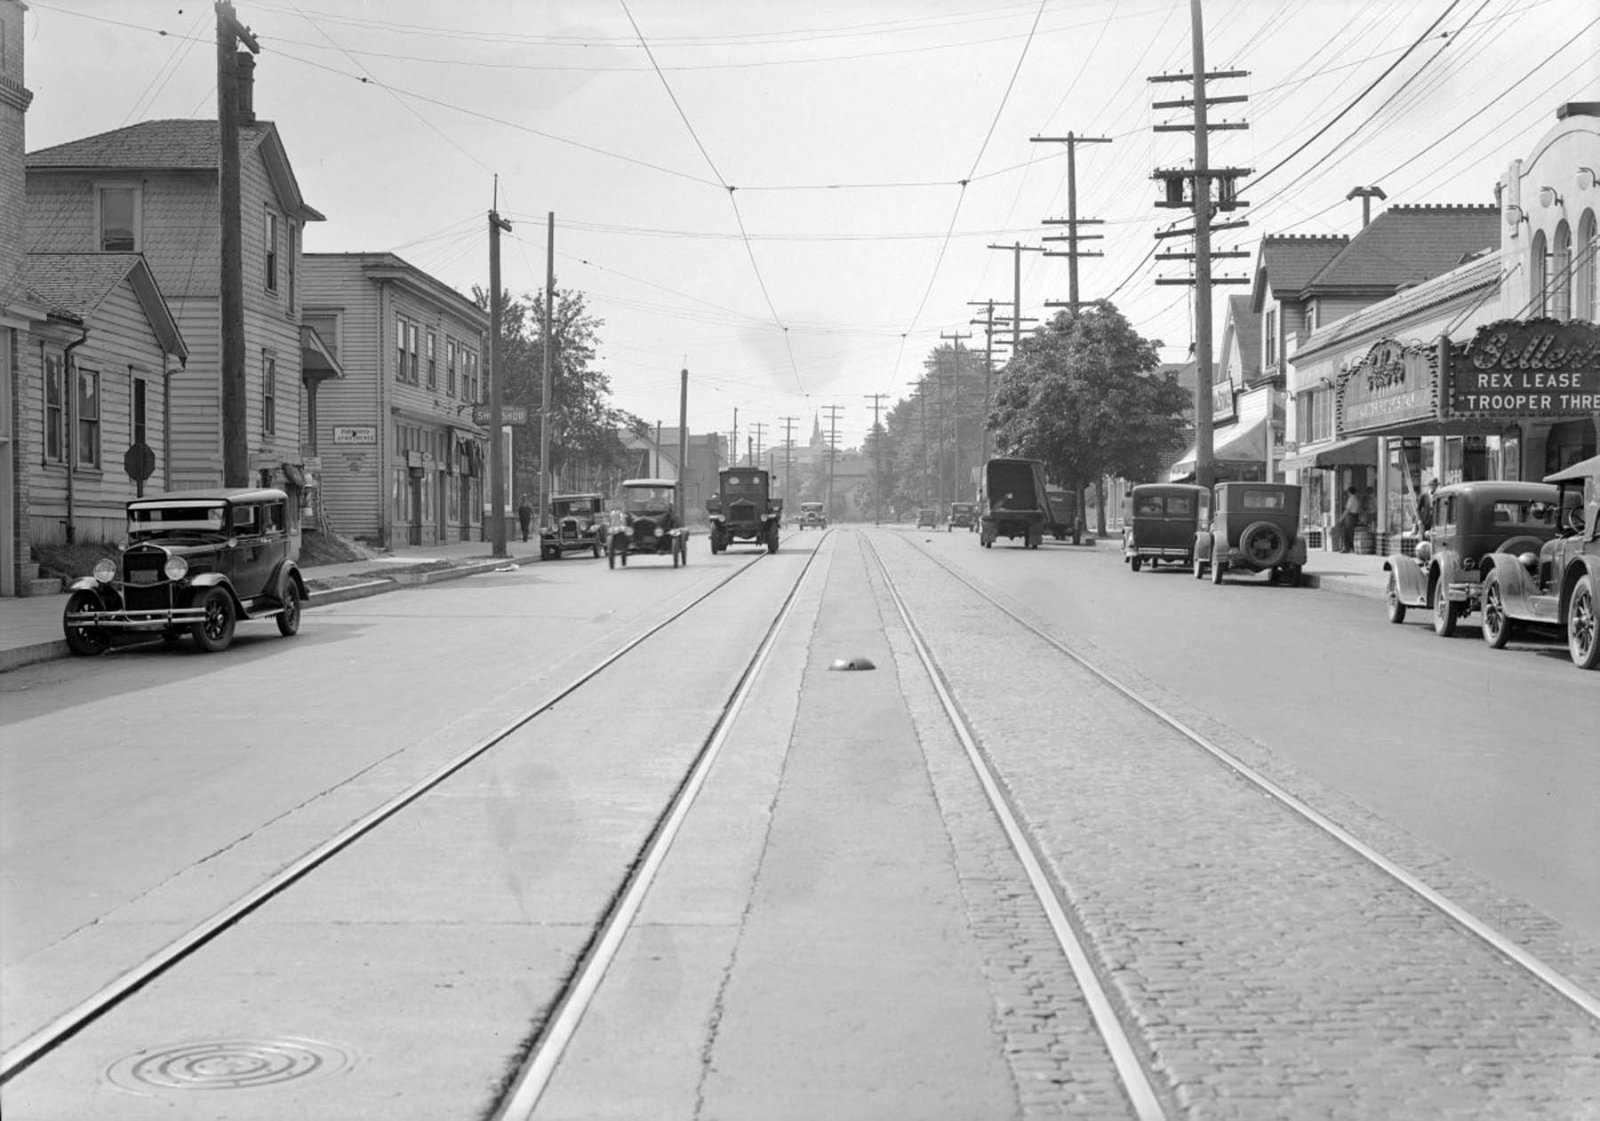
(1407, 245)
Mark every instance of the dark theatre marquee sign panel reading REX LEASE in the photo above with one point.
(1527, 369)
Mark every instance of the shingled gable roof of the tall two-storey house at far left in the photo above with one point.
(177, 146)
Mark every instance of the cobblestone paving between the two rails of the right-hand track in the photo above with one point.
(1271, 971)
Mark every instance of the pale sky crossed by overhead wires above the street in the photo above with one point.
(798, 202)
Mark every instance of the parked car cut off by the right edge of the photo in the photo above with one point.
(1553, 591)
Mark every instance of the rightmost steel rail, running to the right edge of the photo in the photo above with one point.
(1548, 975)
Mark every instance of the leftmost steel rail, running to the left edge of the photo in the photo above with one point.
(92, 1008)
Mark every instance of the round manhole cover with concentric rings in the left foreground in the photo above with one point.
(228, 1066)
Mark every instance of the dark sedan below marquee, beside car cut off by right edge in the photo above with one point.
(1471, 522)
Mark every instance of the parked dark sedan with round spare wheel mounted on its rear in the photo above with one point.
(1255, 529)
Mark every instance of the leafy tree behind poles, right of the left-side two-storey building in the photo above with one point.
(586, 442)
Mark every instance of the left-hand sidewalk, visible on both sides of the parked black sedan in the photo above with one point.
(31, 626)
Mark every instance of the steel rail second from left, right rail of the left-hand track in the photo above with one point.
(538, 1069)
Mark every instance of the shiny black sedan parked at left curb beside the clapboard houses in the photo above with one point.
(196, 564)
